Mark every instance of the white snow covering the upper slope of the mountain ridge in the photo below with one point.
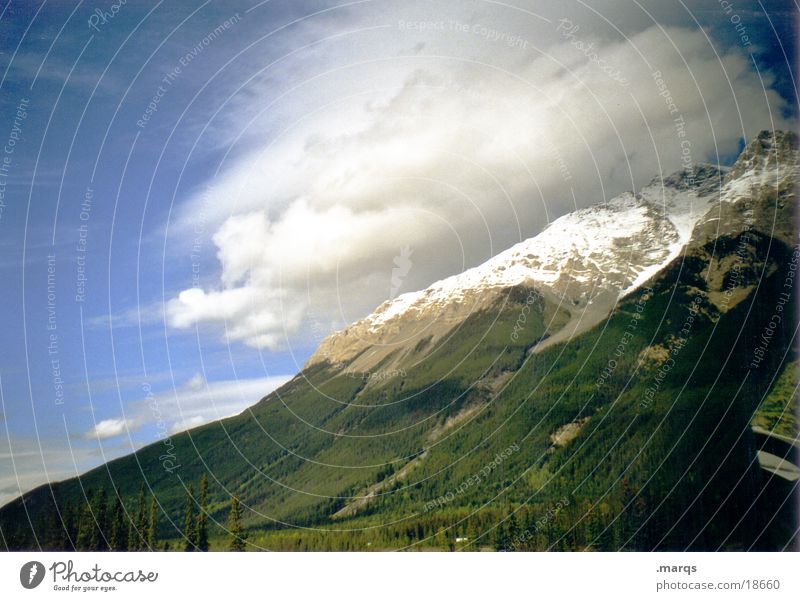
(613, 246)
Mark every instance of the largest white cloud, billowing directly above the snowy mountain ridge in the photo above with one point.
(458, 163)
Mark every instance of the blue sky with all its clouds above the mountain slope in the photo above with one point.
(194, 194)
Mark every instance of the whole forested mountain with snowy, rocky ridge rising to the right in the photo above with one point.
(603, 385)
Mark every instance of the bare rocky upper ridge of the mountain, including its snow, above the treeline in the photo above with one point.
(585, 260)
